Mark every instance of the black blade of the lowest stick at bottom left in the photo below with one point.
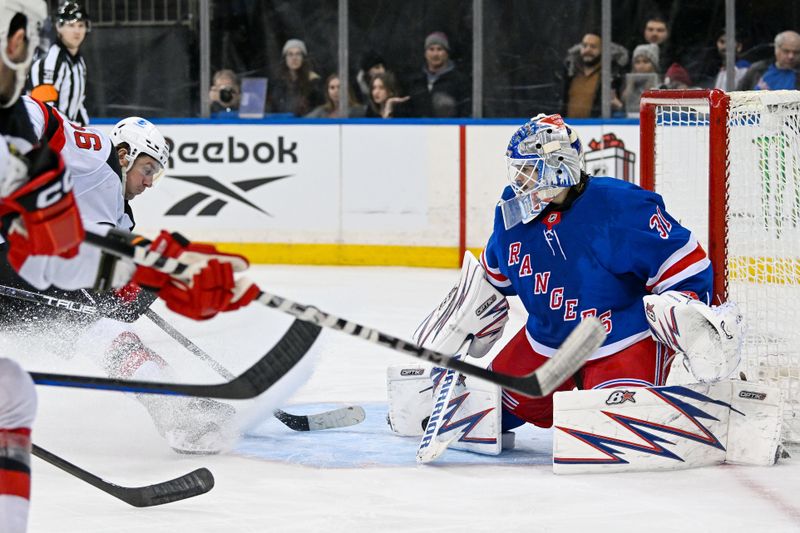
(186, 486)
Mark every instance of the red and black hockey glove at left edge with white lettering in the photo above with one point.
(47, 221)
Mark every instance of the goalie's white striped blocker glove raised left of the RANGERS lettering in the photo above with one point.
(473, 309)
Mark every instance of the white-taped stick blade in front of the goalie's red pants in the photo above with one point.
(584, 340)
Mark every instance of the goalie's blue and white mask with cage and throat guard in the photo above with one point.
(543, 158)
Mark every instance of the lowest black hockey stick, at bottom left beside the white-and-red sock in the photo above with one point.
(186, 486)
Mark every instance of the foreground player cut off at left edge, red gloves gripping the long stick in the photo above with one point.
(42, 228)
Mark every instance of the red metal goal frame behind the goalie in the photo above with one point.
(718, 103)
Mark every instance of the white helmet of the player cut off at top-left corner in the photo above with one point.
(35, 12)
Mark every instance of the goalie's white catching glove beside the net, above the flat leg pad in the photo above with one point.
(710, 338)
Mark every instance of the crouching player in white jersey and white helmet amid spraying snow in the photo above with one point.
(108, 172)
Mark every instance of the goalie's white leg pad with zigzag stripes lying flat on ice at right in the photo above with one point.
(665, 428)
